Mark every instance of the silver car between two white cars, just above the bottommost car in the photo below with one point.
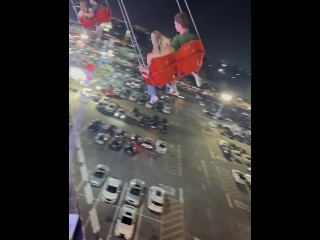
(135, 192)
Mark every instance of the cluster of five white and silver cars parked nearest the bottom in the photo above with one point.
(128, 214)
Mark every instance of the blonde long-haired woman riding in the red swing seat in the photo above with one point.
(161, 47)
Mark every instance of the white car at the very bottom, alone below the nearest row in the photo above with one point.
(126, 221)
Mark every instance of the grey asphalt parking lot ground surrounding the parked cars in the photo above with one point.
(203, 200)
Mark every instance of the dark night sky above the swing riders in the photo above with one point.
(224, 26)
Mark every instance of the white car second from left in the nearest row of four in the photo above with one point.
(112, 191)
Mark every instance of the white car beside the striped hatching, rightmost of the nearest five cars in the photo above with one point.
(156, 199)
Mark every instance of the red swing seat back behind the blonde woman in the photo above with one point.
(162, 70)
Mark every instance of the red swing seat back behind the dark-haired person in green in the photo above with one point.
(189, 58)
